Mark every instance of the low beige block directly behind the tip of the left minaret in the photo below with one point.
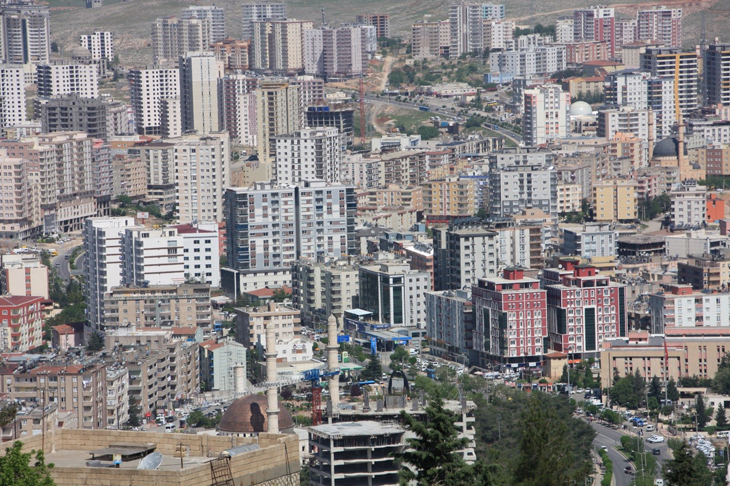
(251, 323)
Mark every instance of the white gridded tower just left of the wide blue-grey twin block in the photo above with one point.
(202, 172)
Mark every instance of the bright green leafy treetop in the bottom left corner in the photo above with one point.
(16, 468)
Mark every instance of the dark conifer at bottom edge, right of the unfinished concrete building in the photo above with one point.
(433, 452)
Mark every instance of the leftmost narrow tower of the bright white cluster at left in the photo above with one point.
(103, 248)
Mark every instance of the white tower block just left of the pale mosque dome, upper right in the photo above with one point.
(545, 116)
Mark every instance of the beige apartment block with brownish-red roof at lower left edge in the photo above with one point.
(76, 388)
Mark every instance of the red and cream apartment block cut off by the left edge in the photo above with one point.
(21, 322)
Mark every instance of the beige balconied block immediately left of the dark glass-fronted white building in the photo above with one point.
(322, 289)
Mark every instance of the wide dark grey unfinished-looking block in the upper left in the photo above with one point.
(74, 113)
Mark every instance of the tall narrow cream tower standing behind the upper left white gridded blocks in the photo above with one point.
(199, 75)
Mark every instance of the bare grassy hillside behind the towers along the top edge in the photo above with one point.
(131, 20)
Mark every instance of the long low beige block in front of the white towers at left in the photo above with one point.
(185, 305)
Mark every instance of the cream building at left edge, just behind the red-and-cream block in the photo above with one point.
(23, 275)
